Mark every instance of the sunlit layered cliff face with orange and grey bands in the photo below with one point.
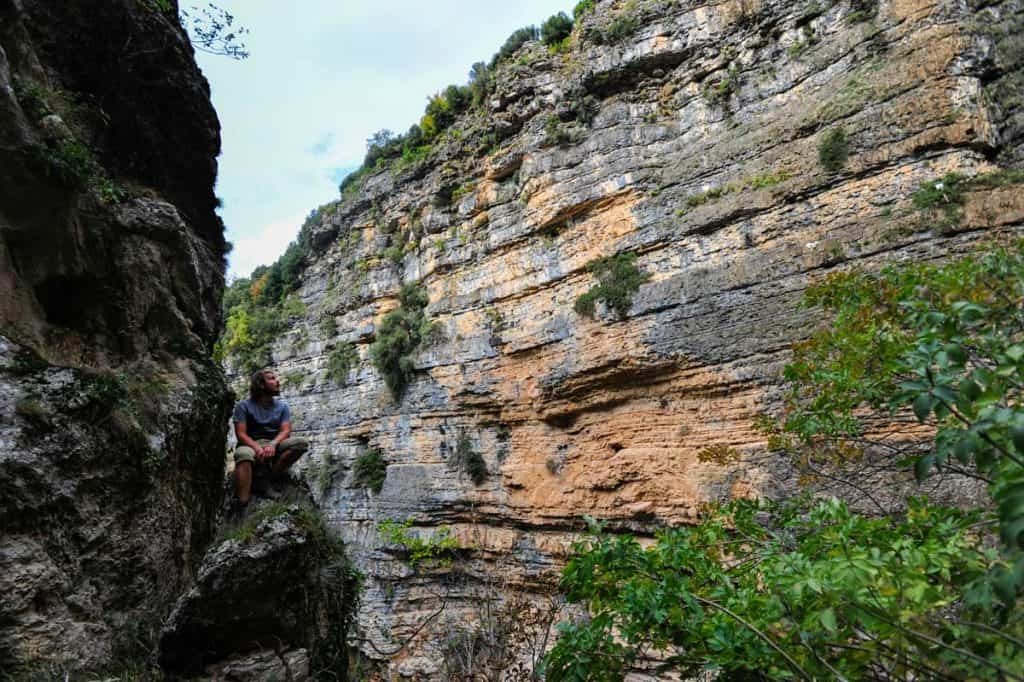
(690, 137)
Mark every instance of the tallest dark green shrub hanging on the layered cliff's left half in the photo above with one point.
(400, 336)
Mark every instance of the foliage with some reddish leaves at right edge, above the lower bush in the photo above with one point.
(943, 340)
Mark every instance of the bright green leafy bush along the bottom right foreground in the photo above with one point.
(808, 591)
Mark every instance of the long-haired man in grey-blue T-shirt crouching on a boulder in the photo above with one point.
(264, 427)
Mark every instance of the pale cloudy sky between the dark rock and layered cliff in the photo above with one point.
(322, 78)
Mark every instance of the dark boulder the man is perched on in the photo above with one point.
(263, 602)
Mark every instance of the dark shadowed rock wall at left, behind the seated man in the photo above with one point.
(111, 273)
